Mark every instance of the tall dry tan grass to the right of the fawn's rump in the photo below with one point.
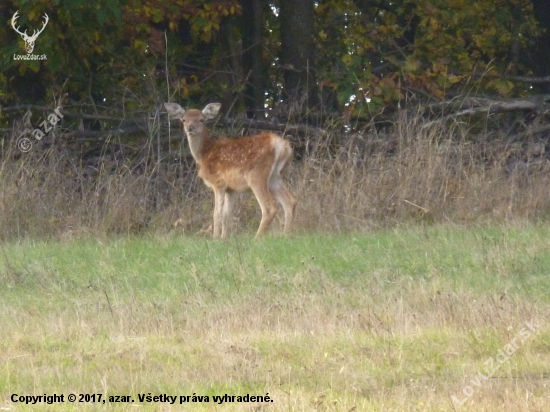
(424, 171)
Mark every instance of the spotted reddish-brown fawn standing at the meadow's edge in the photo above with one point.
(228, 166)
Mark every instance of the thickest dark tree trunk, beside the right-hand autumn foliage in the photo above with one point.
(297, 53)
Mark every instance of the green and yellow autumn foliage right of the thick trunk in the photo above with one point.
(426, 47)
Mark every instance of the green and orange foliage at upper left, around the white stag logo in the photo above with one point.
(94, 47)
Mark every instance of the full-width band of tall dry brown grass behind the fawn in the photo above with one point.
(412, 171)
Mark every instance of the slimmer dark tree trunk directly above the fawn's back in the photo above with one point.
(254, 71)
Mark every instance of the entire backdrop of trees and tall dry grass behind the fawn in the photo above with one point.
(402, 109)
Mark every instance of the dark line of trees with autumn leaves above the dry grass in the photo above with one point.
(303, 56)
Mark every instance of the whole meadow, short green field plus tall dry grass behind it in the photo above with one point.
(416, 278)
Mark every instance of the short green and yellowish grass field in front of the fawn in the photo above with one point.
(396, 320)
